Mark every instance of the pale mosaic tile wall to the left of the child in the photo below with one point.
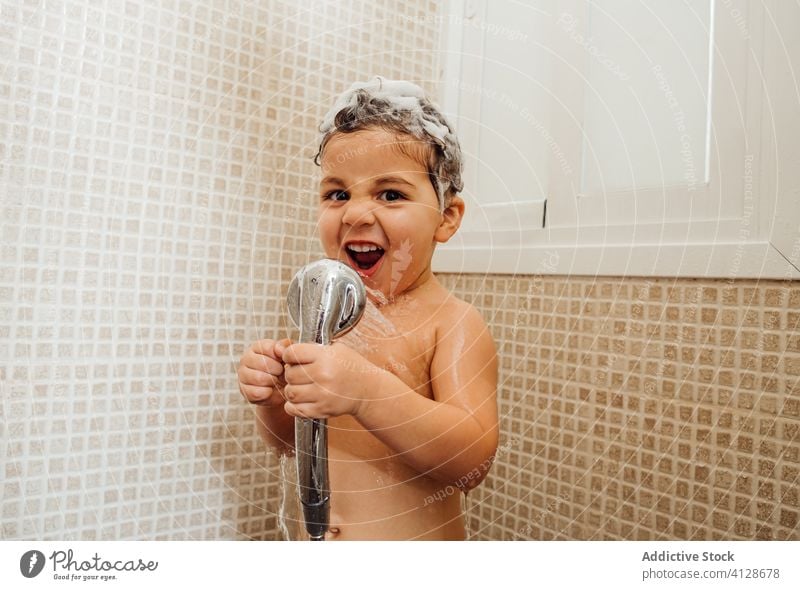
(156, 194)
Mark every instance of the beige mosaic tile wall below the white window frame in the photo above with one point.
(642, 408)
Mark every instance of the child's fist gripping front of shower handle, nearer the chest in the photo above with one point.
(326, 381)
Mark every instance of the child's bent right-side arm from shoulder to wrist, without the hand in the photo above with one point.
(452, 438)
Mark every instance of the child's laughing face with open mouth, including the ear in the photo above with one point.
(378, 210)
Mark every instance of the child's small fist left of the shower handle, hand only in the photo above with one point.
(261, 373)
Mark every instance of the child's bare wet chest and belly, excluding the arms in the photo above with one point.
(375, 495)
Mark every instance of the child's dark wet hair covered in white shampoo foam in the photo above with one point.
(400, 107)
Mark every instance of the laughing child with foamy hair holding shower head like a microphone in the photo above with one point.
(409, 394)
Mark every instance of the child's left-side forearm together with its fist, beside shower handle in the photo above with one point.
(261, 382)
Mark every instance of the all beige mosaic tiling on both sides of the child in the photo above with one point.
(157, 195)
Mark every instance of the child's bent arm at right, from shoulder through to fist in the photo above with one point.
(452, 438)
